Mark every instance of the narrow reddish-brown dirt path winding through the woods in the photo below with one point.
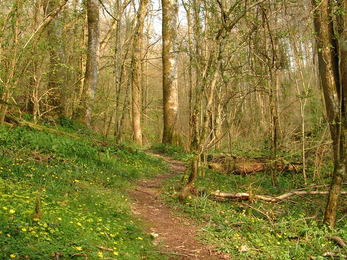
(176, 234)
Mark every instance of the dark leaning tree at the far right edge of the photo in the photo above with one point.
(330, 22)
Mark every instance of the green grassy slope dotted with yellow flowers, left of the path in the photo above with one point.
(66, 196)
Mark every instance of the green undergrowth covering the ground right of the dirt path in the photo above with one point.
(291, 229)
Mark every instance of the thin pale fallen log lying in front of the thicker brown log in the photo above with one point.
(249, 196)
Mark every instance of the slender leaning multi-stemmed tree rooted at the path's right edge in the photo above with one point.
(211, 55)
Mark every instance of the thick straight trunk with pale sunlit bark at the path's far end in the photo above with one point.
(170, 87)
